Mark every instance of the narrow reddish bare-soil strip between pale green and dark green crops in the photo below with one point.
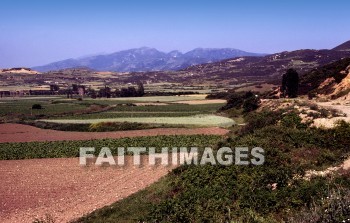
(25, 133)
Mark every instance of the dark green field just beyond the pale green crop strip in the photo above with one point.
(62, 107)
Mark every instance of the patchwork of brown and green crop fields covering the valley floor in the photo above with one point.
(27, 152)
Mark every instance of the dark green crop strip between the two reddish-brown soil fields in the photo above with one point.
(61, 149)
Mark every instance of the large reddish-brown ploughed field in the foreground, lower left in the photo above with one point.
(61, 188)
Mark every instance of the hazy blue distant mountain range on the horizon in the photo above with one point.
(147, 59)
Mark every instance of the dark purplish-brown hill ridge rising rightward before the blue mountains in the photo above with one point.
(245, 69)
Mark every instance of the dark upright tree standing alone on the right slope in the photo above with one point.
(290, 83)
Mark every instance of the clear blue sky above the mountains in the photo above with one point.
(38, 32)
